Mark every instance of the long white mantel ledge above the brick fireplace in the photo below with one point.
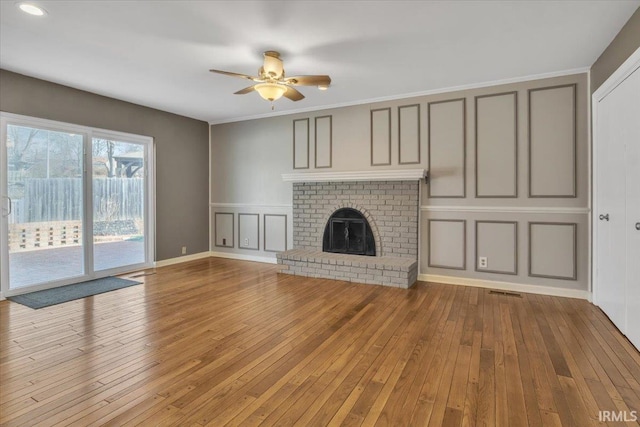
(378, 175)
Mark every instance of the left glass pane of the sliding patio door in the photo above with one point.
(45, 199)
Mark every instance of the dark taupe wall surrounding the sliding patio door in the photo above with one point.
(182, 168)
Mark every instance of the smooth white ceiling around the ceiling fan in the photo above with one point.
(158, 53)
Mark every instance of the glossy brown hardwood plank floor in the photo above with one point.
(215, 342)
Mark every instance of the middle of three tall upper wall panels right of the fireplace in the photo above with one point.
(496, 145)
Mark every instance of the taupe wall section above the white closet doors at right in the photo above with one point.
(622, 46)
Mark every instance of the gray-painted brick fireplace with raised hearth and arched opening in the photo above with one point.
(390, 206)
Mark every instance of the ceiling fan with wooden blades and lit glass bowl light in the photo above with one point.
(271, 82)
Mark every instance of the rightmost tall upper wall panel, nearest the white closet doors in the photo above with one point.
(552, 142)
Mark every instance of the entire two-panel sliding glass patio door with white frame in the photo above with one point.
(76, 203)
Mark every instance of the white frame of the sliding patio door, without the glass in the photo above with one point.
(88, 134)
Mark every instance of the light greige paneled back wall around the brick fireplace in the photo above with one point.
(524, 206)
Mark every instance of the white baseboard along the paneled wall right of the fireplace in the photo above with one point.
(506, 286)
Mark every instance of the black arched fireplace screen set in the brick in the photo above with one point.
(348, 232)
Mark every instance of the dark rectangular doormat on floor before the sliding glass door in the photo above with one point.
(54, 296)
